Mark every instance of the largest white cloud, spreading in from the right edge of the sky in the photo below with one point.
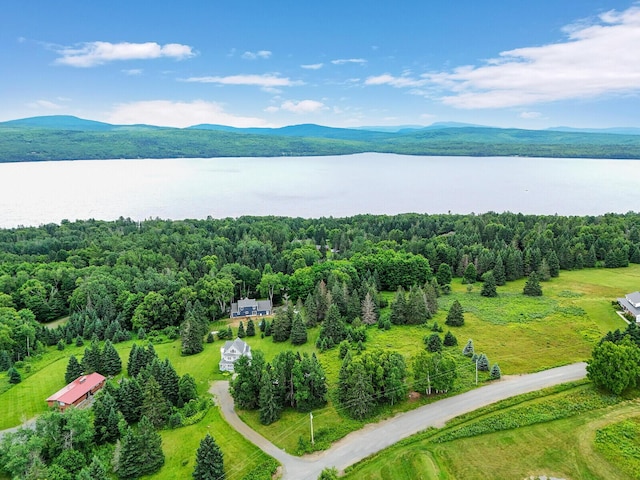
(599, 57)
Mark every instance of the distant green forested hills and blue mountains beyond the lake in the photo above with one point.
(64, 137)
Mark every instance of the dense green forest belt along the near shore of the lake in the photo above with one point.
(117, 277)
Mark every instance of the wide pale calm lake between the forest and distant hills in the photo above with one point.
(45, 192)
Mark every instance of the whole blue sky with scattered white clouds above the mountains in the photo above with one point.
(508, 63)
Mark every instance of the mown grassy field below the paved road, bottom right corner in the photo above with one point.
(562, 448)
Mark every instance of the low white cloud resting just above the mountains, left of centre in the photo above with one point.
(177, 114)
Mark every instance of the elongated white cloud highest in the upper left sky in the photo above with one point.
(90, 54)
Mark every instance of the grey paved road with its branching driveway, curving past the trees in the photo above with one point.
(375, 437)
